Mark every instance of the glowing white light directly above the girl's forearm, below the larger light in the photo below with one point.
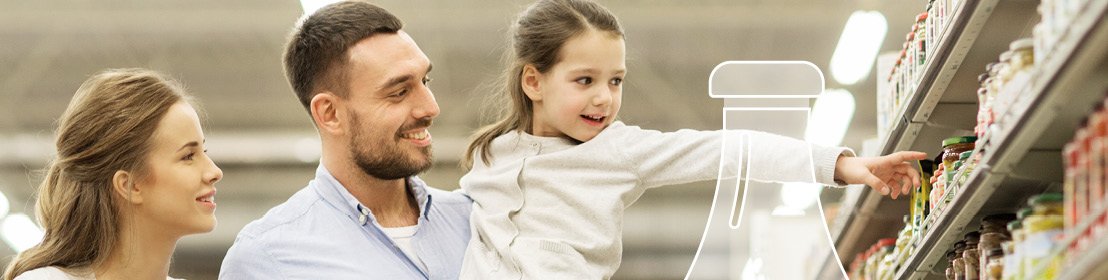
(830, 118)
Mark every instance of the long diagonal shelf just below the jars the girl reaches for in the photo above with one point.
(1023, 152)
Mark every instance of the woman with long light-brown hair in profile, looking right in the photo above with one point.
(131, 178)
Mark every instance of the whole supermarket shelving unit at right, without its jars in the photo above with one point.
(1022, 154)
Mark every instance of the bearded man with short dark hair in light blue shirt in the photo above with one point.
(366, 215)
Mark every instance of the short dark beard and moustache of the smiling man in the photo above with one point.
(386, 161)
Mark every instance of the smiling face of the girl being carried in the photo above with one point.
(581, 95)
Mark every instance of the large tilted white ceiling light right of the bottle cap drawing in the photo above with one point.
(858, 47)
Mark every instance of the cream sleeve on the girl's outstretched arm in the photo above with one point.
(684, 157)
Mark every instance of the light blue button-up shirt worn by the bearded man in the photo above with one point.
(322, 233)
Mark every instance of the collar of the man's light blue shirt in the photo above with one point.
(334, 193)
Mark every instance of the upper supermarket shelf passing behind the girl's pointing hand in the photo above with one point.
(978, 34)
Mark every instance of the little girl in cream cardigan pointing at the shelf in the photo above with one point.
(551, 180)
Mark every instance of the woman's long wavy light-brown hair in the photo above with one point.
(107, 128)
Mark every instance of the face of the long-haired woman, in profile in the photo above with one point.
(179, 189)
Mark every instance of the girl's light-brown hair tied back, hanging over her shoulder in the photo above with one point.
(537, 40)
